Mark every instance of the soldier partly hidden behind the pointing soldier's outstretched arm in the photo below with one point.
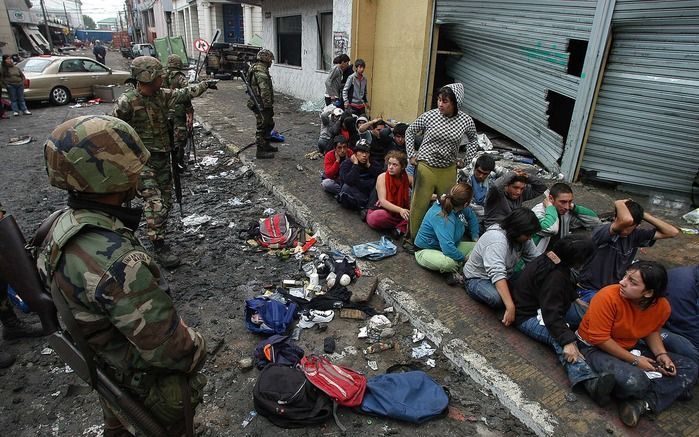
(182, 115)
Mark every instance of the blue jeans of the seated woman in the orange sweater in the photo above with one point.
(632, 382)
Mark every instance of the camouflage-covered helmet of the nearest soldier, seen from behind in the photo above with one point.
(95, 154)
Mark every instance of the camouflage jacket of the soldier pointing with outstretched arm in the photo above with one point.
(148, 114)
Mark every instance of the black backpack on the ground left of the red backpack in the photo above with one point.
(283, 395)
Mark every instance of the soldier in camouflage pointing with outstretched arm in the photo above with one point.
(146, 109)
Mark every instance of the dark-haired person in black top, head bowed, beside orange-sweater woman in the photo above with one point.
(542, 295)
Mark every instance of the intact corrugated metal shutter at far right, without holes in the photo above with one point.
(645, 128)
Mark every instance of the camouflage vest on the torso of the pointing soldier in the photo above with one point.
(149, 120)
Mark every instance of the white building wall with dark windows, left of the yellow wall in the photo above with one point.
(305, 82)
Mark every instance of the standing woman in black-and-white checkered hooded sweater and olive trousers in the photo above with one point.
(442, 130)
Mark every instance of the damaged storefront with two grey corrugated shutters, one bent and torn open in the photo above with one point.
(607, 89)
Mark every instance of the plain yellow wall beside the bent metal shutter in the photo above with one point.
(393, 37)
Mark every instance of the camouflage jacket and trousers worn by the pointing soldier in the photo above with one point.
(148, 116)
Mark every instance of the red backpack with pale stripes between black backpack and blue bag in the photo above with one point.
(345, 386)
